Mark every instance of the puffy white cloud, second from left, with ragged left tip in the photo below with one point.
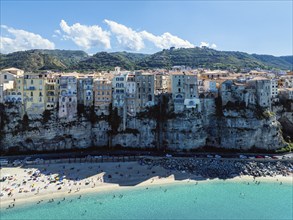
(84, 36)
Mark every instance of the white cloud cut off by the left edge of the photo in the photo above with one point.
(19, 40)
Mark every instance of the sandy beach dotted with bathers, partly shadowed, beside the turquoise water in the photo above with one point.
(46, 182)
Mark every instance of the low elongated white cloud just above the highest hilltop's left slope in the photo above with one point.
(166, 40)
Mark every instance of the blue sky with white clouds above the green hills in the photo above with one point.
(262, 27)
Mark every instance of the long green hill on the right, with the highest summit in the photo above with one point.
(213, 59)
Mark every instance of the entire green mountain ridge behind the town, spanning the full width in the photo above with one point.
(67, 60)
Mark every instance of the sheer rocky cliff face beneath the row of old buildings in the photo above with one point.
(189, 130)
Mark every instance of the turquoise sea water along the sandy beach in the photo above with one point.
(213, 200)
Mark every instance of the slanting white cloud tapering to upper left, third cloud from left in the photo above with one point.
(127, 37)
